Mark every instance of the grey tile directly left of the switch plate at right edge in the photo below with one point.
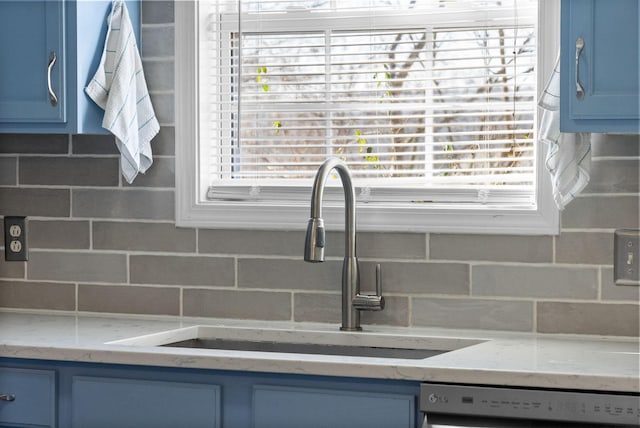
(583, 247)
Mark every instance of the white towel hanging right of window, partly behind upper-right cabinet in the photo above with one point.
(569, 155)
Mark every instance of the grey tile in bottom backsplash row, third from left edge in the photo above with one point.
(259, 305)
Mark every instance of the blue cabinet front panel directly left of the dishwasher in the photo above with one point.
(290, 407)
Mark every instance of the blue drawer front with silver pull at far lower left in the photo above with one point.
(34, 391)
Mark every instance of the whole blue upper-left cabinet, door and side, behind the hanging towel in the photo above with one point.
(49, 50)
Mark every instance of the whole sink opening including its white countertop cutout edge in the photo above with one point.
(298, 341)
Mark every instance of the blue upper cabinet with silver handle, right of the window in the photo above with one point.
(600, 74)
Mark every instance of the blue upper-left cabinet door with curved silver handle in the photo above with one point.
(31, 34)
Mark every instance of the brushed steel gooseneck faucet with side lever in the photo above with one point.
(352, 301)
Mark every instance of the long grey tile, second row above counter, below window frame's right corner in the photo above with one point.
(535, 281)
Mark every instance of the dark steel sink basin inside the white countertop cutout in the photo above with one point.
(306, 348)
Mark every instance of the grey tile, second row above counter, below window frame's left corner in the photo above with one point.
(180, 270)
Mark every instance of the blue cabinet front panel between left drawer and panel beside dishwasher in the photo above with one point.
(99, 402)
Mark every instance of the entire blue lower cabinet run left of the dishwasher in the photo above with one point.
(60, 394)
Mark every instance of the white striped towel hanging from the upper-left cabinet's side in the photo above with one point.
(119, 88)
